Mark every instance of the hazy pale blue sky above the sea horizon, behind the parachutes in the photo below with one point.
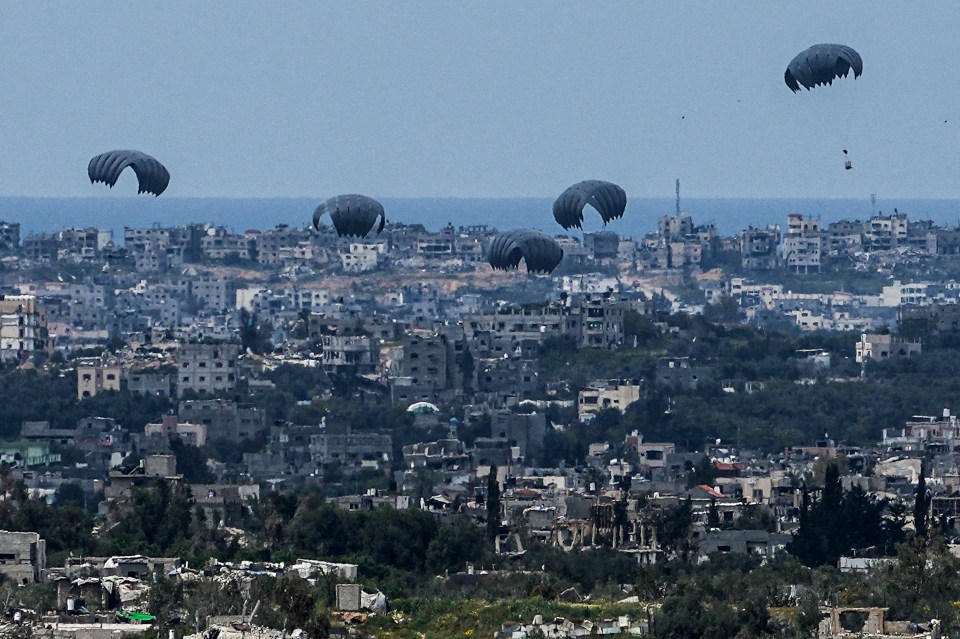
(478, 99)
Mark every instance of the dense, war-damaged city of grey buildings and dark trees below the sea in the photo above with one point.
(284, 430)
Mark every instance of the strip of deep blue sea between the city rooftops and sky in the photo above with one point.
(728, 214)
